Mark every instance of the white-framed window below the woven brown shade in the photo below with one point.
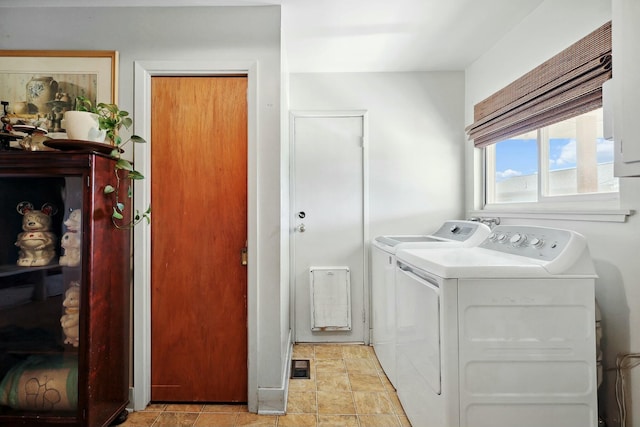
(564, 161)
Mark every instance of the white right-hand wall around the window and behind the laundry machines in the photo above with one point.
(614, 246)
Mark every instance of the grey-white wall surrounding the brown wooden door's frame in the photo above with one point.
(195, 34)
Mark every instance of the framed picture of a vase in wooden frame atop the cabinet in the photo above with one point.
(38, 86)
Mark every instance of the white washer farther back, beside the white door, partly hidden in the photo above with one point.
(450, 234)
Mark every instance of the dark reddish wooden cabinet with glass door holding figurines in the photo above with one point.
(64, 325)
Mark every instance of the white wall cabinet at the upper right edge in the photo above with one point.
(626, 86)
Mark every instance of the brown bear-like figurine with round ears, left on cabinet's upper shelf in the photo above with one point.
(36, 242)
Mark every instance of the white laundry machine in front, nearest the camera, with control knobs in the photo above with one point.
(498, 335)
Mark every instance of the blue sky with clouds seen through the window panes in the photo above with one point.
(518, 157)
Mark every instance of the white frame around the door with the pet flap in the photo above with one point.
(366, 292)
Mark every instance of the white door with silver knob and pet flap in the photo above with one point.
(328, 206)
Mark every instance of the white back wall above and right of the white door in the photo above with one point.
(415, 141)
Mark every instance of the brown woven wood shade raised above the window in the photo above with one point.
(565, 86)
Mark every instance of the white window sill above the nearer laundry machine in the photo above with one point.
(569, 215)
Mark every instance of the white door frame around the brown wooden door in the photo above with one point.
(140, 394)
